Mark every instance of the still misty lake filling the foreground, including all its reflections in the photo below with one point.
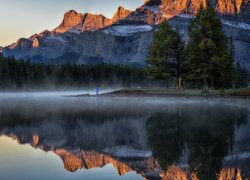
(48, 136)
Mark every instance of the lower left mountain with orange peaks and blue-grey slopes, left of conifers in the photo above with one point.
(86, 38)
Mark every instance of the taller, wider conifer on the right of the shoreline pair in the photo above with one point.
(208, 52)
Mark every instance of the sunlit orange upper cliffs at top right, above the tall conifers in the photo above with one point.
(155, 11)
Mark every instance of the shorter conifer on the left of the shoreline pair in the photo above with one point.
(165, 55)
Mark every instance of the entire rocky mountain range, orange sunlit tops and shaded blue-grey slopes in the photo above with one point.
(90, 38)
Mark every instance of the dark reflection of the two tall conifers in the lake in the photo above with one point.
(206, 131)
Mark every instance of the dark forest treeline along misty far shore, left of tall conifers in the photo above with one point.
(26, 75)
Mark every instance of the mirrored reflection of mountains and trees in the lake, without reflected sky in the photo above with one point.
(187, 139)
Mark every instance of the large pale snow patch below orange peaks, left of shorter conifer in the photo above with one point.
(127, 30)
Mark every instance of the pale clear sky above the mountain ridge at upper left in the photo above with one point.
(23, 18)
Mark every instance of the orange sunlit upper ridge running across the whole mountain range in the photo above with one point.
(75, 20)
